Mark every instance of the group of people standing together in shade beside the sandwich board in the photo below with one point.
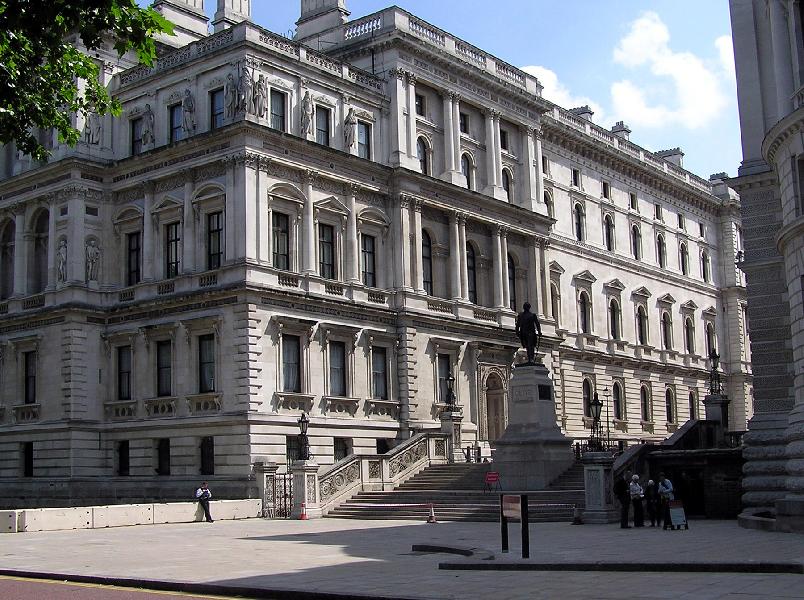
(656, 498)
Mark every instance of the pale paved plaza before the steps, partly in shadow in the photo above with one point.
(375, 558)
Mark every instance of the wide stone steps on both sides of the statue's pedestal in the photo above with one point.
(457, 494)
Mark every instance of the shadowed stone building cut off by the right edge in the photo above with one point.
(769, 55)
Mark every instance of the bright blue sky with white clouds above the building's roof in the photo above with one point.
(665, 68)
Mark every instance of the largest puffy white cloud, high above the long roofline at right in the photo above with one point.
(699, 98)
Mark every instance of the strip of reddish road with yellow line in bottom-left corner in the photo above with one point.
(15, 588)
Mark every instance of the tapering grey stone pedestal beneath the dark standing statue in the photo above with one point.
(532, 452)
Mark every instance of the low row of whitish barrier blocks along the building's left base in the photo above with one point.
(122, 515)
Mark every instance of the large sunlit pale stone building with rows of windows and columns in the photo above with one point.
(338, 224)
